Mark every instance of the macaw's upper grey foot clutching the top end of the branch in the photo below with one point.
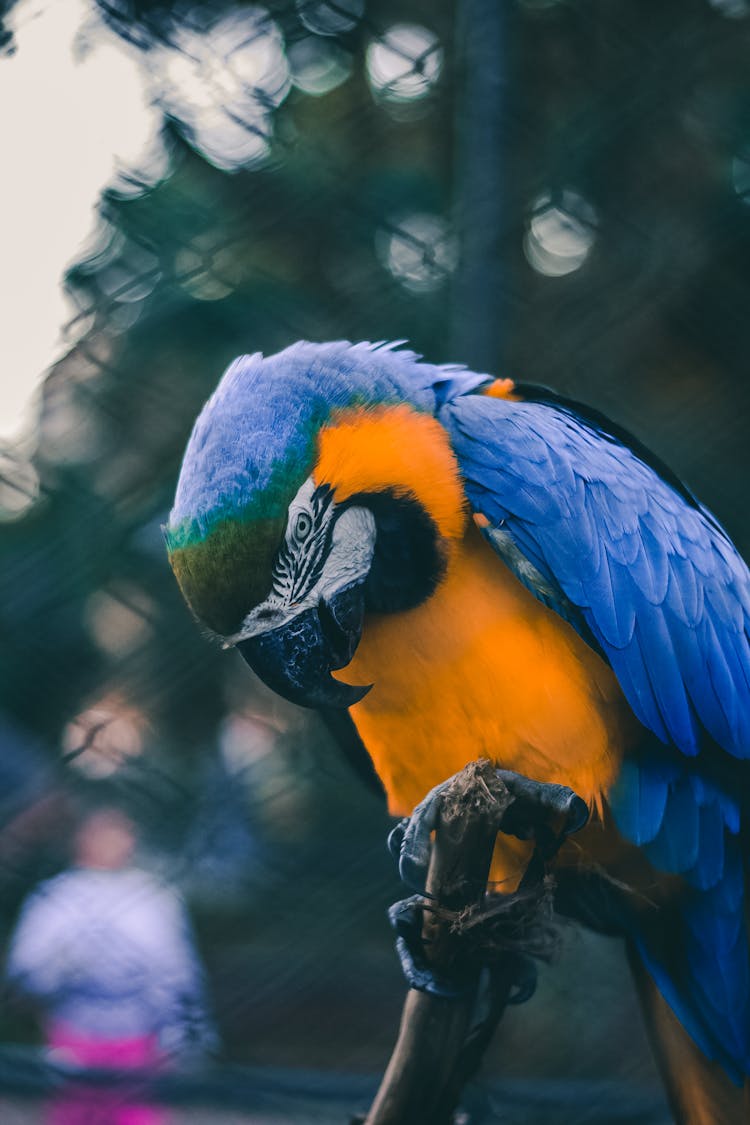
(541, 812)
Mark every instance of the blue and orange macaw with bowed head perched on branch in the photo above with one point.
(463, 566)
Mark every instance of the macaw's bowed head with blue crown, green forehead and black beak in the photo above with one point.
(318, 485)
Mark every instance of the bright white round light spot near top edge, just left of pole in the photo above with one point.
(404, 64)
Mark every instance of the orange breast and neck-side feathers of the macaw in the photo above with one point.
(482, 669)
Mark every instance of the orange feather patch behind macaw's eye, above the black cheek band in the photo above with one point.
(394, 448)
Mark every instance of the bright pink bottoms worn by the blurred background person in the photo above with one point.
(91, 1105)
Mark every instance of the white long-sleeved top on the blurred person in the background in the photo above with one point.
(111, 953)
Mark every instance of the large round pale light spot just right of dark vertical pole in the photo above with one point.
(562, 233)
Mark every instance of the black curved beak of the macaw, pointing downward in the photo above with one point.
(297, 659)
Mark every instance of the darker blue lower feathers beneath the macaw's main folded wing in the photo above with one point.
(698, 952)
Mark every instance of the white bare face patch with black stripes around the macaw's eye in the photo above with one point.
(323, 553)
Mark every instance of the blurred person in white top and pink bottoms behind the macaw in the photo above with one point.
(106, 955)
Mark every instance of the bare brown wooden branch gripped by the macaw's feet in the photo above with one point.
(419, 1086)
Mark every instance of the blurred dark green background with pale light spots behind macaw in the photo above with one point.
(555, 191)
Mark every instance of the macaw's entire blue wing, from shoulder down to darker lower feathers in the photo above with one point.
(653, 582)
